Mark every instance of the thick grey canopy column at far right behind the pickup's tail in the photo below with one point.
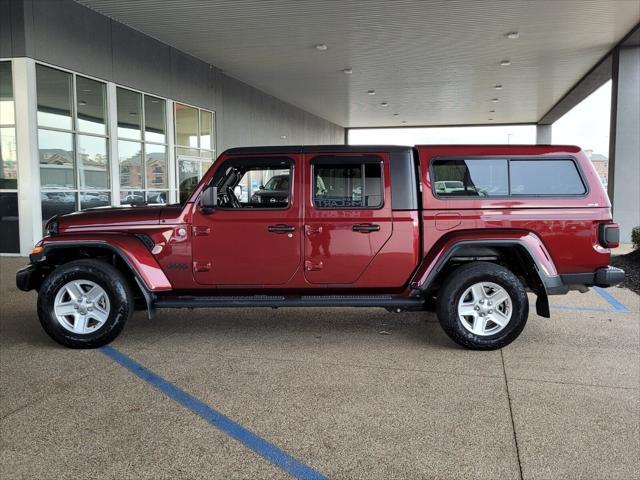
(624, 165)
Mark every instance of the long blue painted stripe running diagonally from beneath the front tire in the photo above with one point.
(249, 439)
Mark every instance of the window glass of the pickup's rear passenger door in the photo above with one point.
(347, 182)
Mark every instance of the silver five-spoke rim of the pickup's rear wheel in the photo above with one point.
(485, 308)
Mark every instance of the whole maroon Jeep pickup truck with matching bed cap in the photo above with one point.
(465, 231)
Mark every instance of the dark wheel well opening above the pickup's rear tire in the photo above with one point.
(513, 257)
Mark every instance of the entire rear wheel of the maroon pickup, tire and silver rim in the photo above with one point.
(482, 306)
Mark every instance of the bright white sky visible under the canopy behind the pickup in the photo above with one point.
(586, 125)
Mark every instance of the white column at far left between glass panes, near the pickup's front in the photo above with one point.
(29, 202)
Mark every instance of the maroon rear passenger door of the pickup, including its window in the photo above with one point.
(347, 215)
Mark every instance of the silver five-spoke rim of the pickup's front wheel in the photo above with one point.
(81, 306)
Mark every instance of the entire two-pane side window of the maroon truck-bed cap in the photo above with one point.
(488, 177)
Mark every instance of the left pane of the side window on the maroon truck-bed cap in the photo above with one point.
(471, 178)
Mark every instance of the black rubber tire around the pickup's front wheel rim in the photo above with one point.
(112, 282)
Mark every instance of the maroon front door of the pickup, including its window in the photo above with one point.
(253, 237)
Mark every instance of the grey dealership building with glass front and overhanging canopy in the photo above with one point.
(123, 103)
